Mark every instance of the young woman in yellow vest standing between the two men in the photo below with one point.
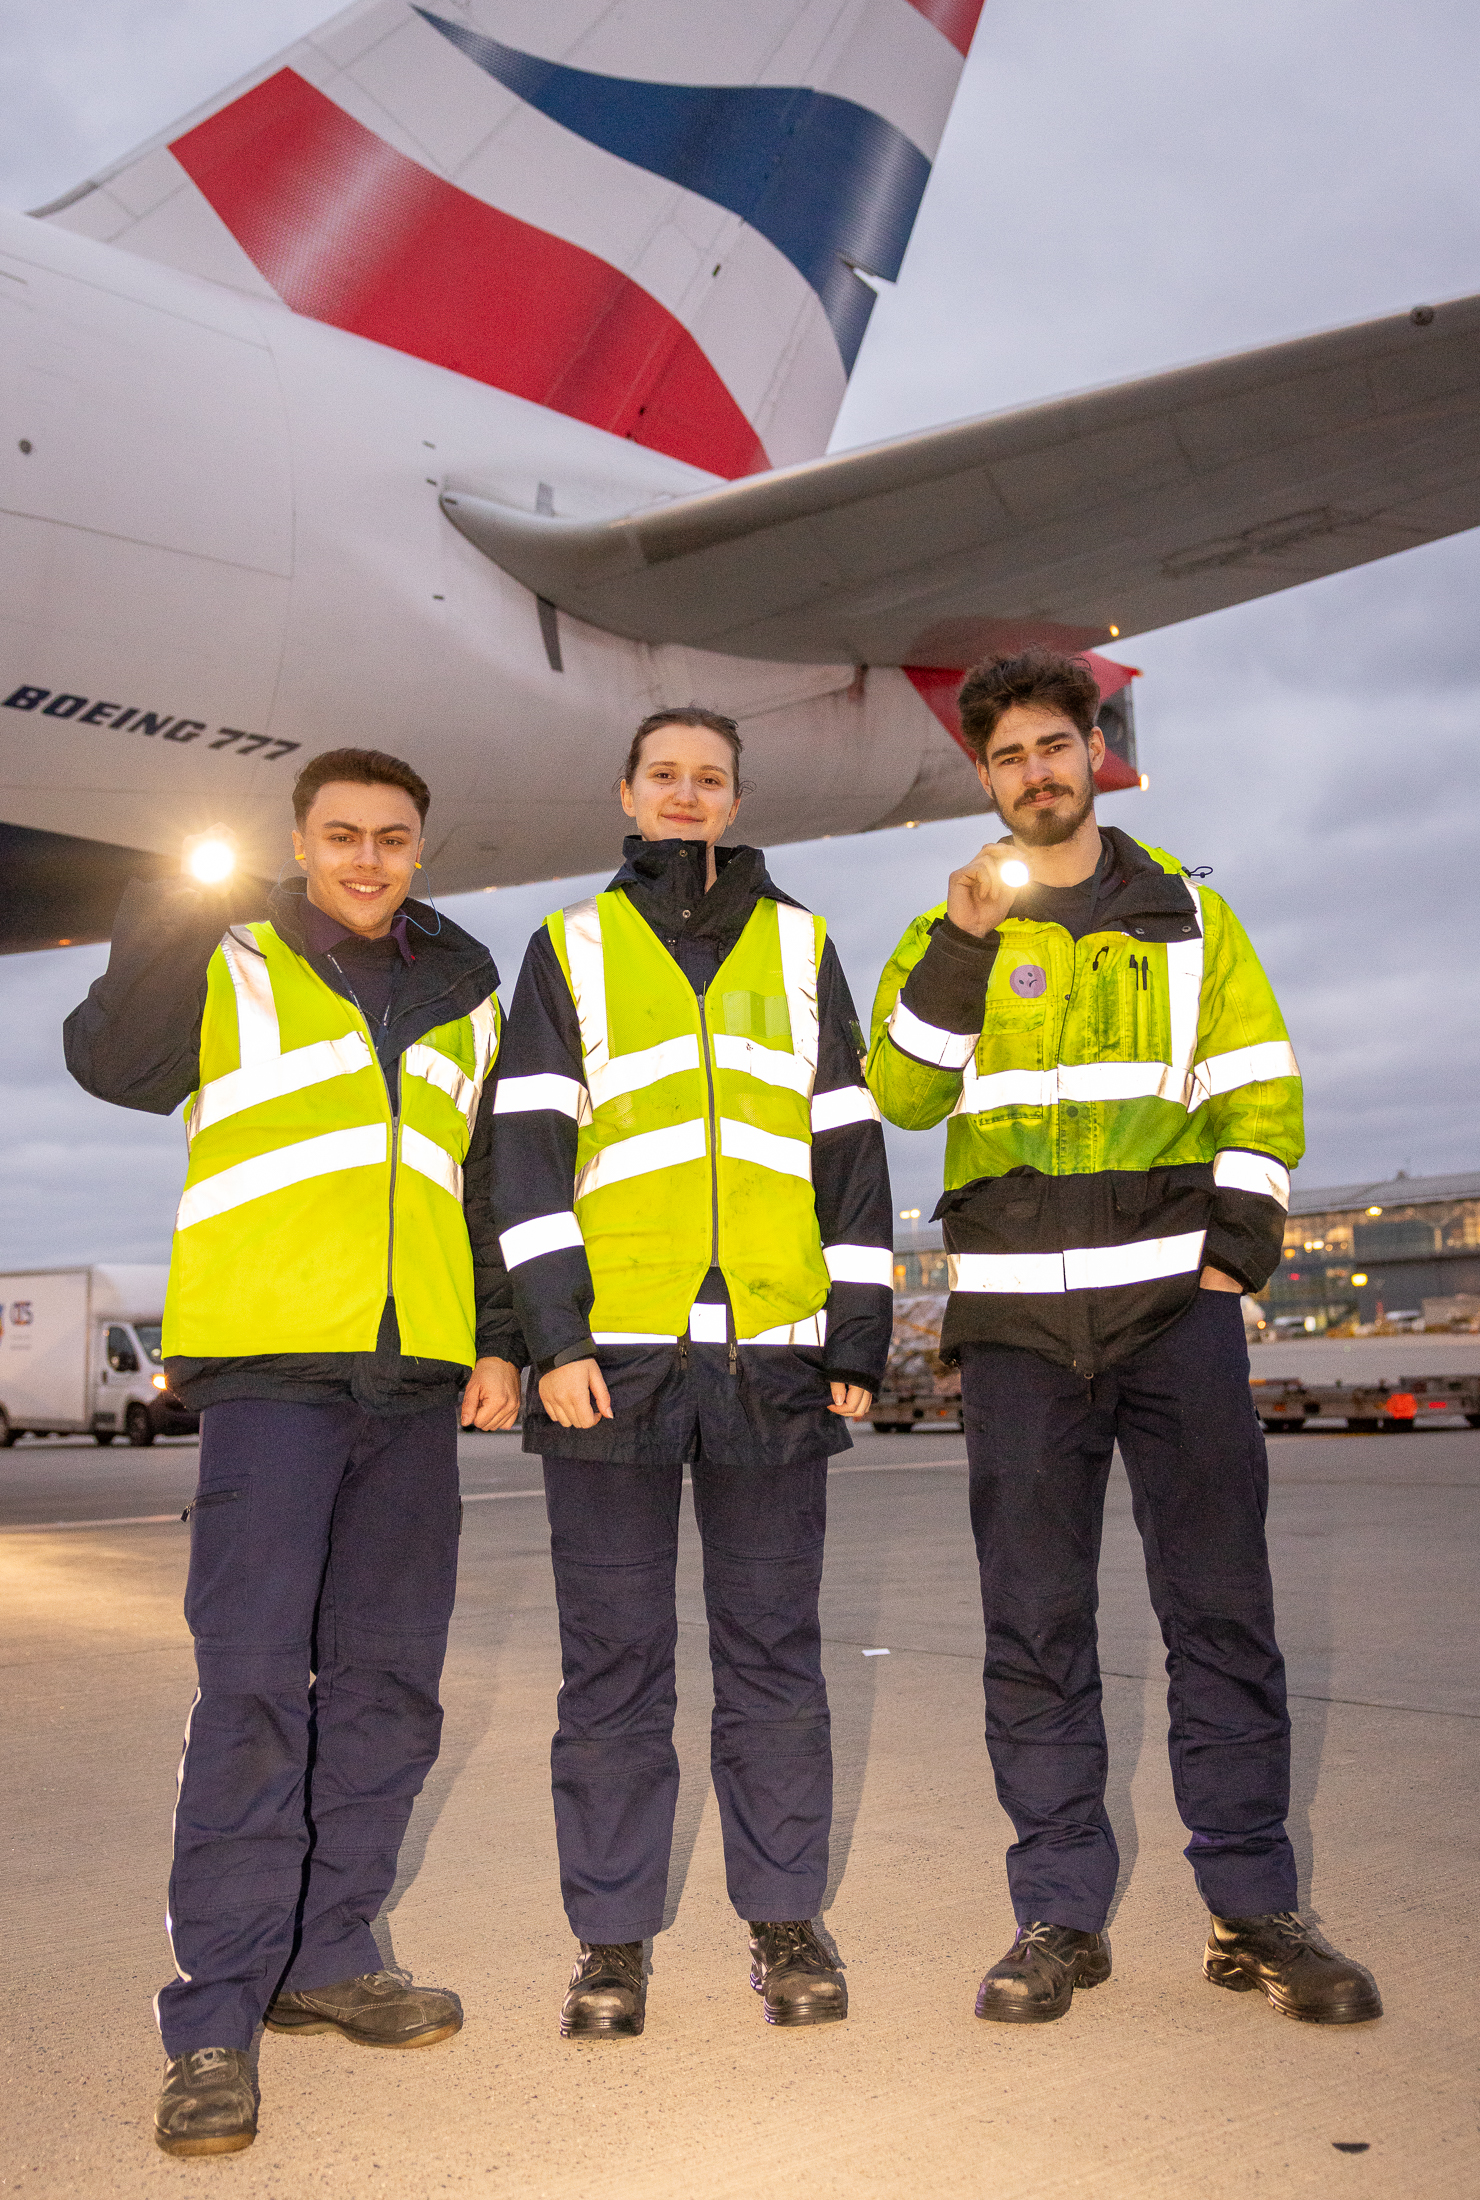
(694, 1204)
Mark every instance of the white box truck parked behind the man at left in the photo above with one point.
(80, 1354)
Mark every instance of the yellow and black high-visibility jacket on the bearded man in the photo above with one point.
(1125, 1112)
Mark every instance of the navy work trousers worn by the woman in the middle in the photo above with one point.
(615, 1770)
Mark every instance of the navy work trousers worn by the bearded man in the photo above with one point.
(1039, 1442)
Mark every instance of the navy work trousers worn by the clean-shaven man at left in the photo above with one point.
(322, 1574)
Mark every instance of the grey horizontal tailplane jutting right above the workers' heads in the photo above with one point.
(1070, 522)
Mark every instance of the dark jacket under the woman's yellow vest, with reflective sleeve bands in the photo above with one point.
(760, 1400)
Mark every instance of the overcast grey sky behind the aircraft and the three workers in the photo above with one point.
(1125, 186)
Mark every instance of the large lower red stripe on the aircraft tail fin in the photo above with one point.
(355, 234)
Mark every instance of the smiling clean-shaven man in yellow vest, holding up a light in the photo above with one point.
(335, 1286)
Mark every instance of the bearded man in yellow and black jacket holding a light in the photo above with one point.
(1125, 1112)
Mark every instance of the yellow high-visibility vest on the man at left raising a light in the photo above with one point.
(307, 1200)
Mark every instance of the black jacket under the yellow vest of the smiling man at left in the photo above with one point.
(137, 1042)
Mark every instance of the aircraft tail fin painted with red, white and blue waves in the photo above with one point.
(571, 203)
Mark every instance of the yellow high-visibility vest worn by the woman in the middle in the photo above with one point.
(696, 1125)
